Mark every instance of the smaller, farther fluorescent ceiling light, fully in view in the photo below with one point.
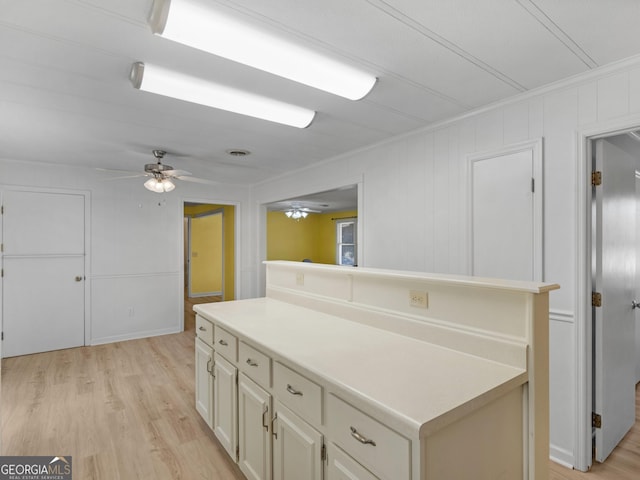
(162, 81)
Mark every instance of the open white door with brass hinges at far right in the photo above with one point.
(614, 278)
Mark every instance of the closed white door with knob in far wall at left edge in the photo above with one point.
(43, 286)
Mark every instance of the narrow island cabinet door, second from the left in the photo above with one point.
(225, 404)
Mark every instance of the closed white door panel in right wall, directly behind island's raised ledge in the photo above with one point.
(506, 215)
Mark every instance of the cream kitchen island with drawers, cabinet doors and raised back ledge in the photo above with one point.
(342, 373)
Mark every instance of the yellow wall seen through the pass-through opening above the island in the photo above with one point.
(313, 237)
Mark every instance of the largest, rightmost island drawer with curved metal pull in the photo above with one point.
(386, 453)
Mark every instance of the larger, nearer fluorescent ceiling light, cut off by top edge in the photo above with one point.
(191, 23)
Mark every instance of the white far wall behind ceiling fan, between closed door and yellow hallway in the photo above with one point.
(135, 256)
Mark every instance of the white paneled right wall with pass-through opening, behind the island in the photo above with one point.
(414, 208)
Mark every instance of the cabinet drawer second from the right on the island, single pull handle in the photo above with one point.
(298, 393)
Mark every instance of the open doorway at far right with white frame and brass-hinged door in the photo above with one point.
(608, 257)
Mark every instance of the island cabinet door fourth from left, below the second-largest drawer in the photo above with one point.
(297, 448)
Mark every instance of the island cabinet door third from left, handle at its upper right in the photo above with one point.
(254, 435)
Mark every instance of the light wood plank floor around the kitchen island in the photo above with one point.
(126, 411)
